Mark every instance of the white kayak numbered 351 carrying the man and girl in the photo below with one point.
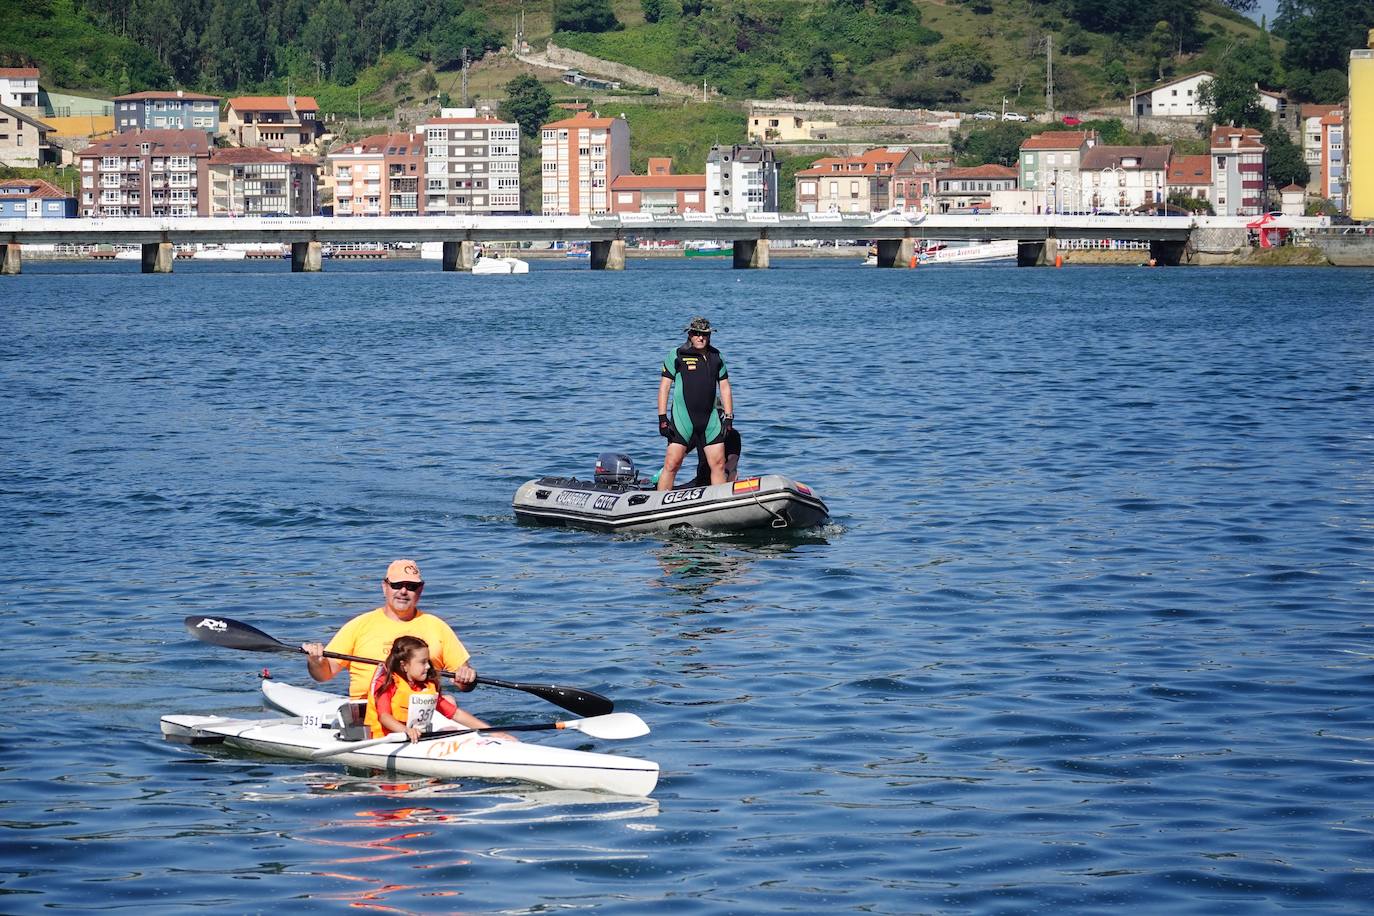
(321, 720)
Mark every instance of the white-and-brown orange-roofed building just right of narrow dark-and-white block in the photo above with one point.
(881, 179)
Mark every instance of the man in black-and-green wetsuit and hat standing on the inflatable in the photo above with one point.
(692, 373)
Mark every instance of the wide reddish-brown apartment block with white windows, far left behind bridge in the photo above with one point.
(146, 174)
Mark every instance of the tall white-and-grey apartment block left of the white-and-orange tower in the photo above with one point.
(472, 164)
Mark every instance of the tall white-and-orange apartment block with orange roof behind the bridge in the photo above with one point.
(582, 156)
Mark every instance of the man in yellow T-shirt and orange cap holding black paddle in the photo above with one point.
(372, 635)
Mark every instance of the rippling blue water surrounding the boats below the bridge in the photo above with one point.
(1090, 630)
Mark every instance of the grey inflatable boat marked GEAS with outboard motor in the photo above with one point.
(619, 501)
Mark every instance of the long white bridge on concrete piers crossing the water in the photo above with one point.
(895, 234)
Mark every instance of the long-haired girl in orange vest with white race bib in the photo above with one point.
(406, 693)
